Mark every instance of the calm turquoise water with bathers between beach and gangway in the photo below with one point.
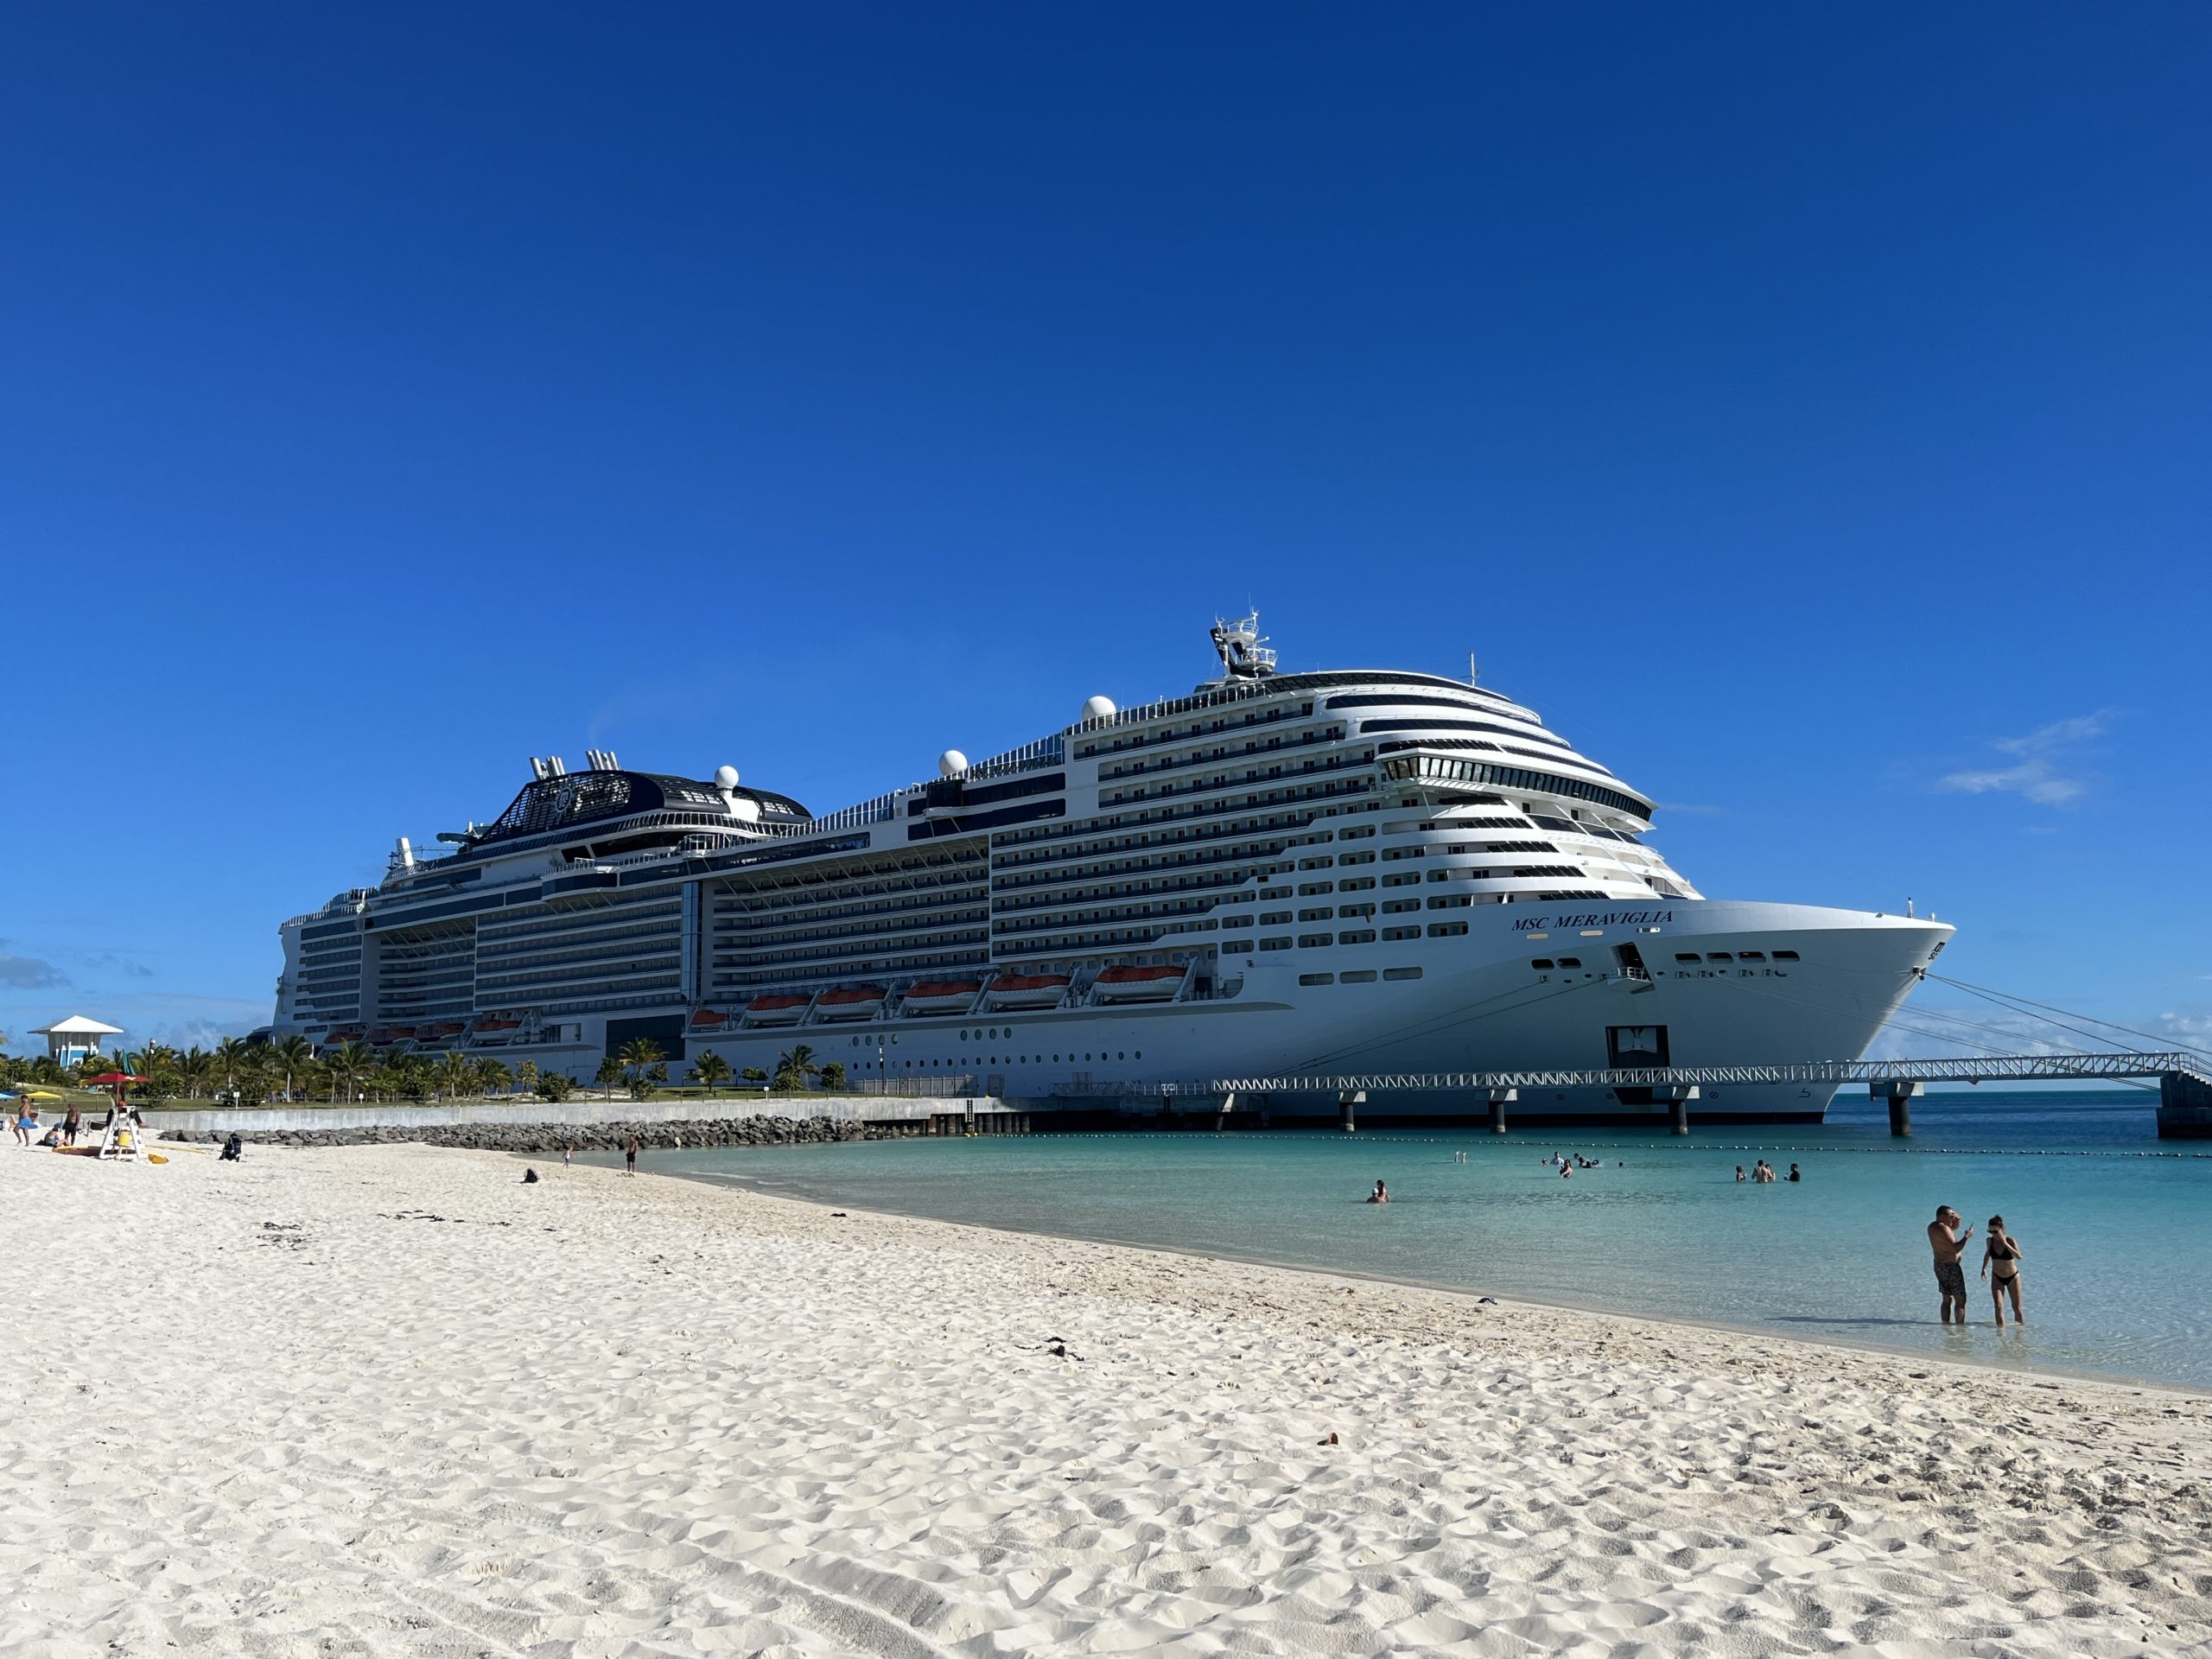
(2118, 1273)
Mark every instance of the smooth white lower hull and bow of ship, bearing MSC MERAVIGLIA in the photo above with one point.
(1477, 1008)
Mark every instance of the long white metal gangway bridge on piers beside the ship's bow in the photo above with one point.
(2184, 1083)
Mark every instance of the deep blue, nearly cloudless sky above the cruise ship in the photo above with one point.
(1806, 415)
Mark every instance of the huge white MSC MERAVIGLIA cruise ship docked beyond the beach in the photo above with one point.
(1277, 875)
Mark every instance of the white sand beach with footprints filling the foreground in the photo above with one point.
(388, 1401)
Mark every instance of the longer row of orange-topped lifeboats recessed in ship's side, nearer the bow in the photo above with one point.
(966, 994)
